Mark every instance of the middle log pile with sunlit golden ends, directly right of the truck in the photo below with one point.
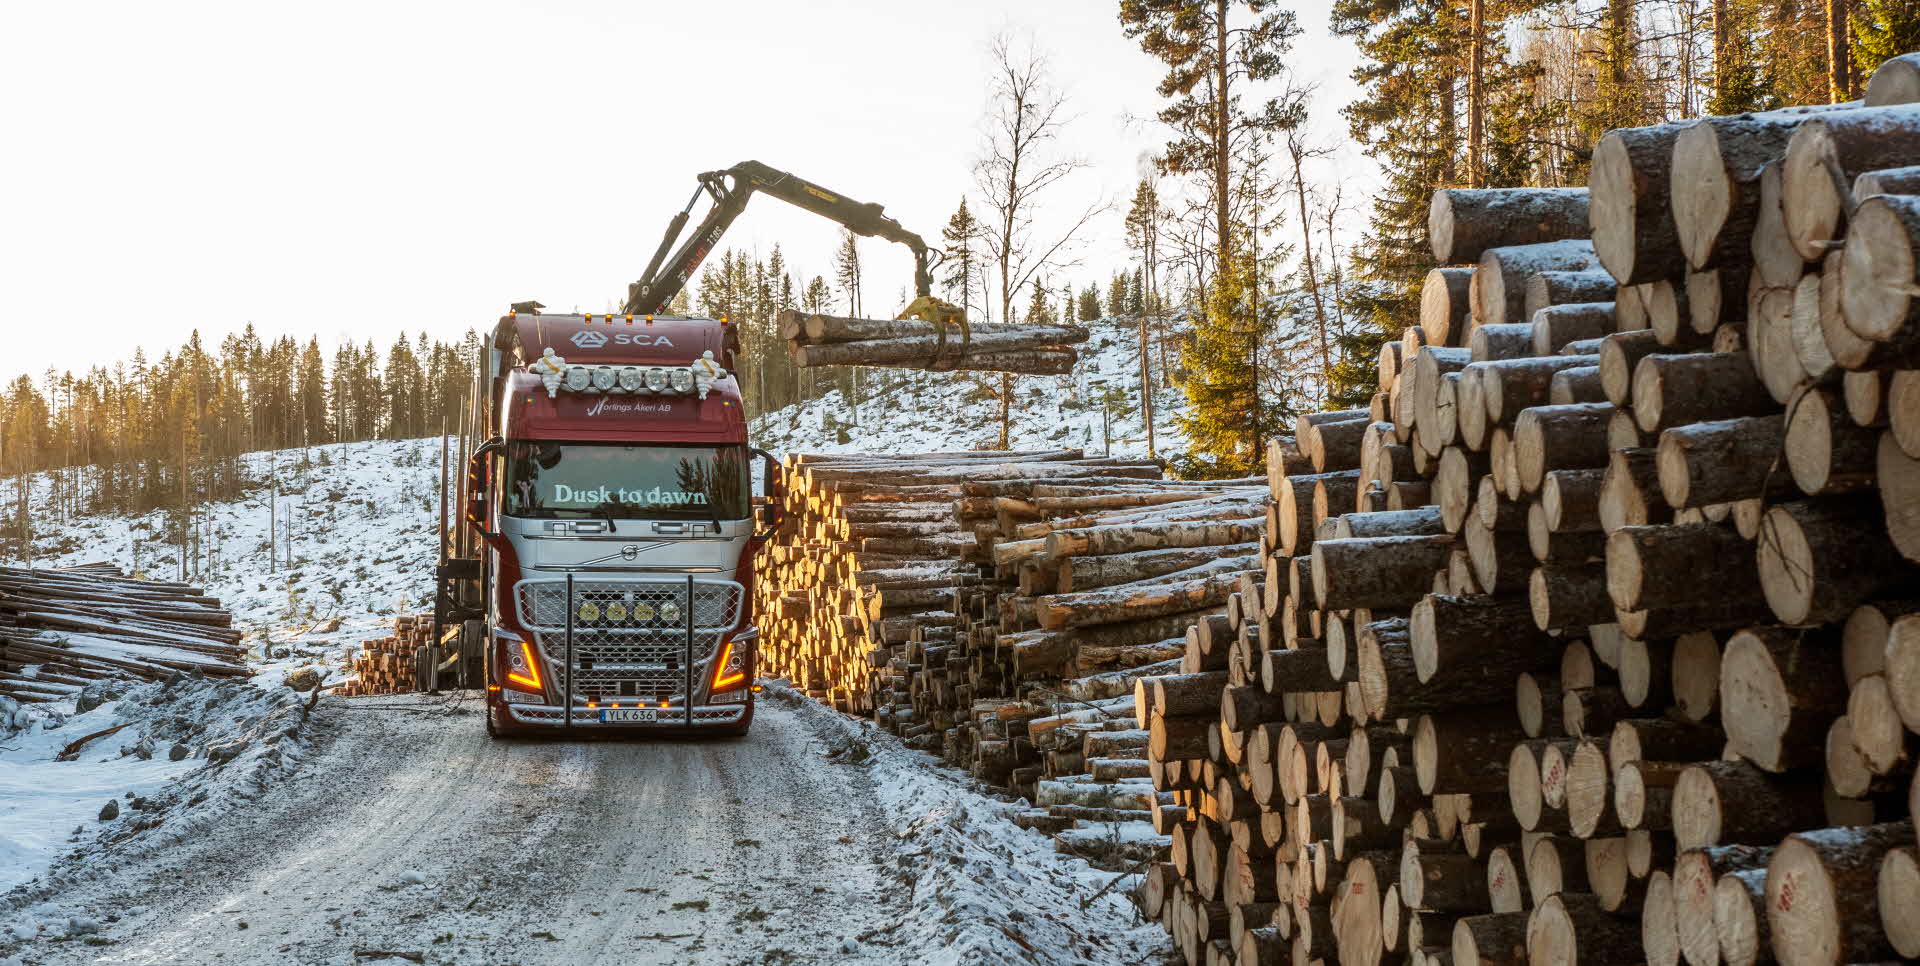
(999, 608)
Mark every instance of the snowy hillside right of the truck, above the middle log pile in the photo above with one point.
(1095, 410)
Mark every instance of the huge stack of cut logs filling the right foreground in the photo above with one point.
(1602, 644)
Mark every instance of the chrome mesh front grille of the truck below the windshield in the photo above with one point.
(631, 635)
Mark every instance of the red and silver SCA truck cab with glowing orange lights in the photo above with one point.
(602, 571)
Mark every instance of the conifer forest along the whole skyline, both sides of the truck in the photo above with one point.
(1257, 295)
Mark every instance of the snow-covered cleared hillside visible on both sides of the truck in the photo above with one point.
(356, 521)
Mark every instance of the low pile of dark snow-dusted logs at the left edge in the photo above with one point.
(62, 629)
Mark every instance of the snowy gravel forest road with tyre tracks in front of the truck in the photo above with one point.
(418, 834)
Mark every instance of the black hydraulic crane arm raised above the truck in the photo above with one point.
(667, 274)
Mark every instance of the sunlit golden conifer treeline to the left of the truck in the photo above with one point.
(145, 435)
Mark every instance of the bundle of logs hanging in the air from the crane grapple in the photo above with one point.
(1038, 350)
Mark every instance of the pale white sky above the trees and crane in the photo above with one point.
(354, 168)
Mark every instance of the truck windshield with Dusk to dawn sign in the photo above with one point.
(627, 483)
